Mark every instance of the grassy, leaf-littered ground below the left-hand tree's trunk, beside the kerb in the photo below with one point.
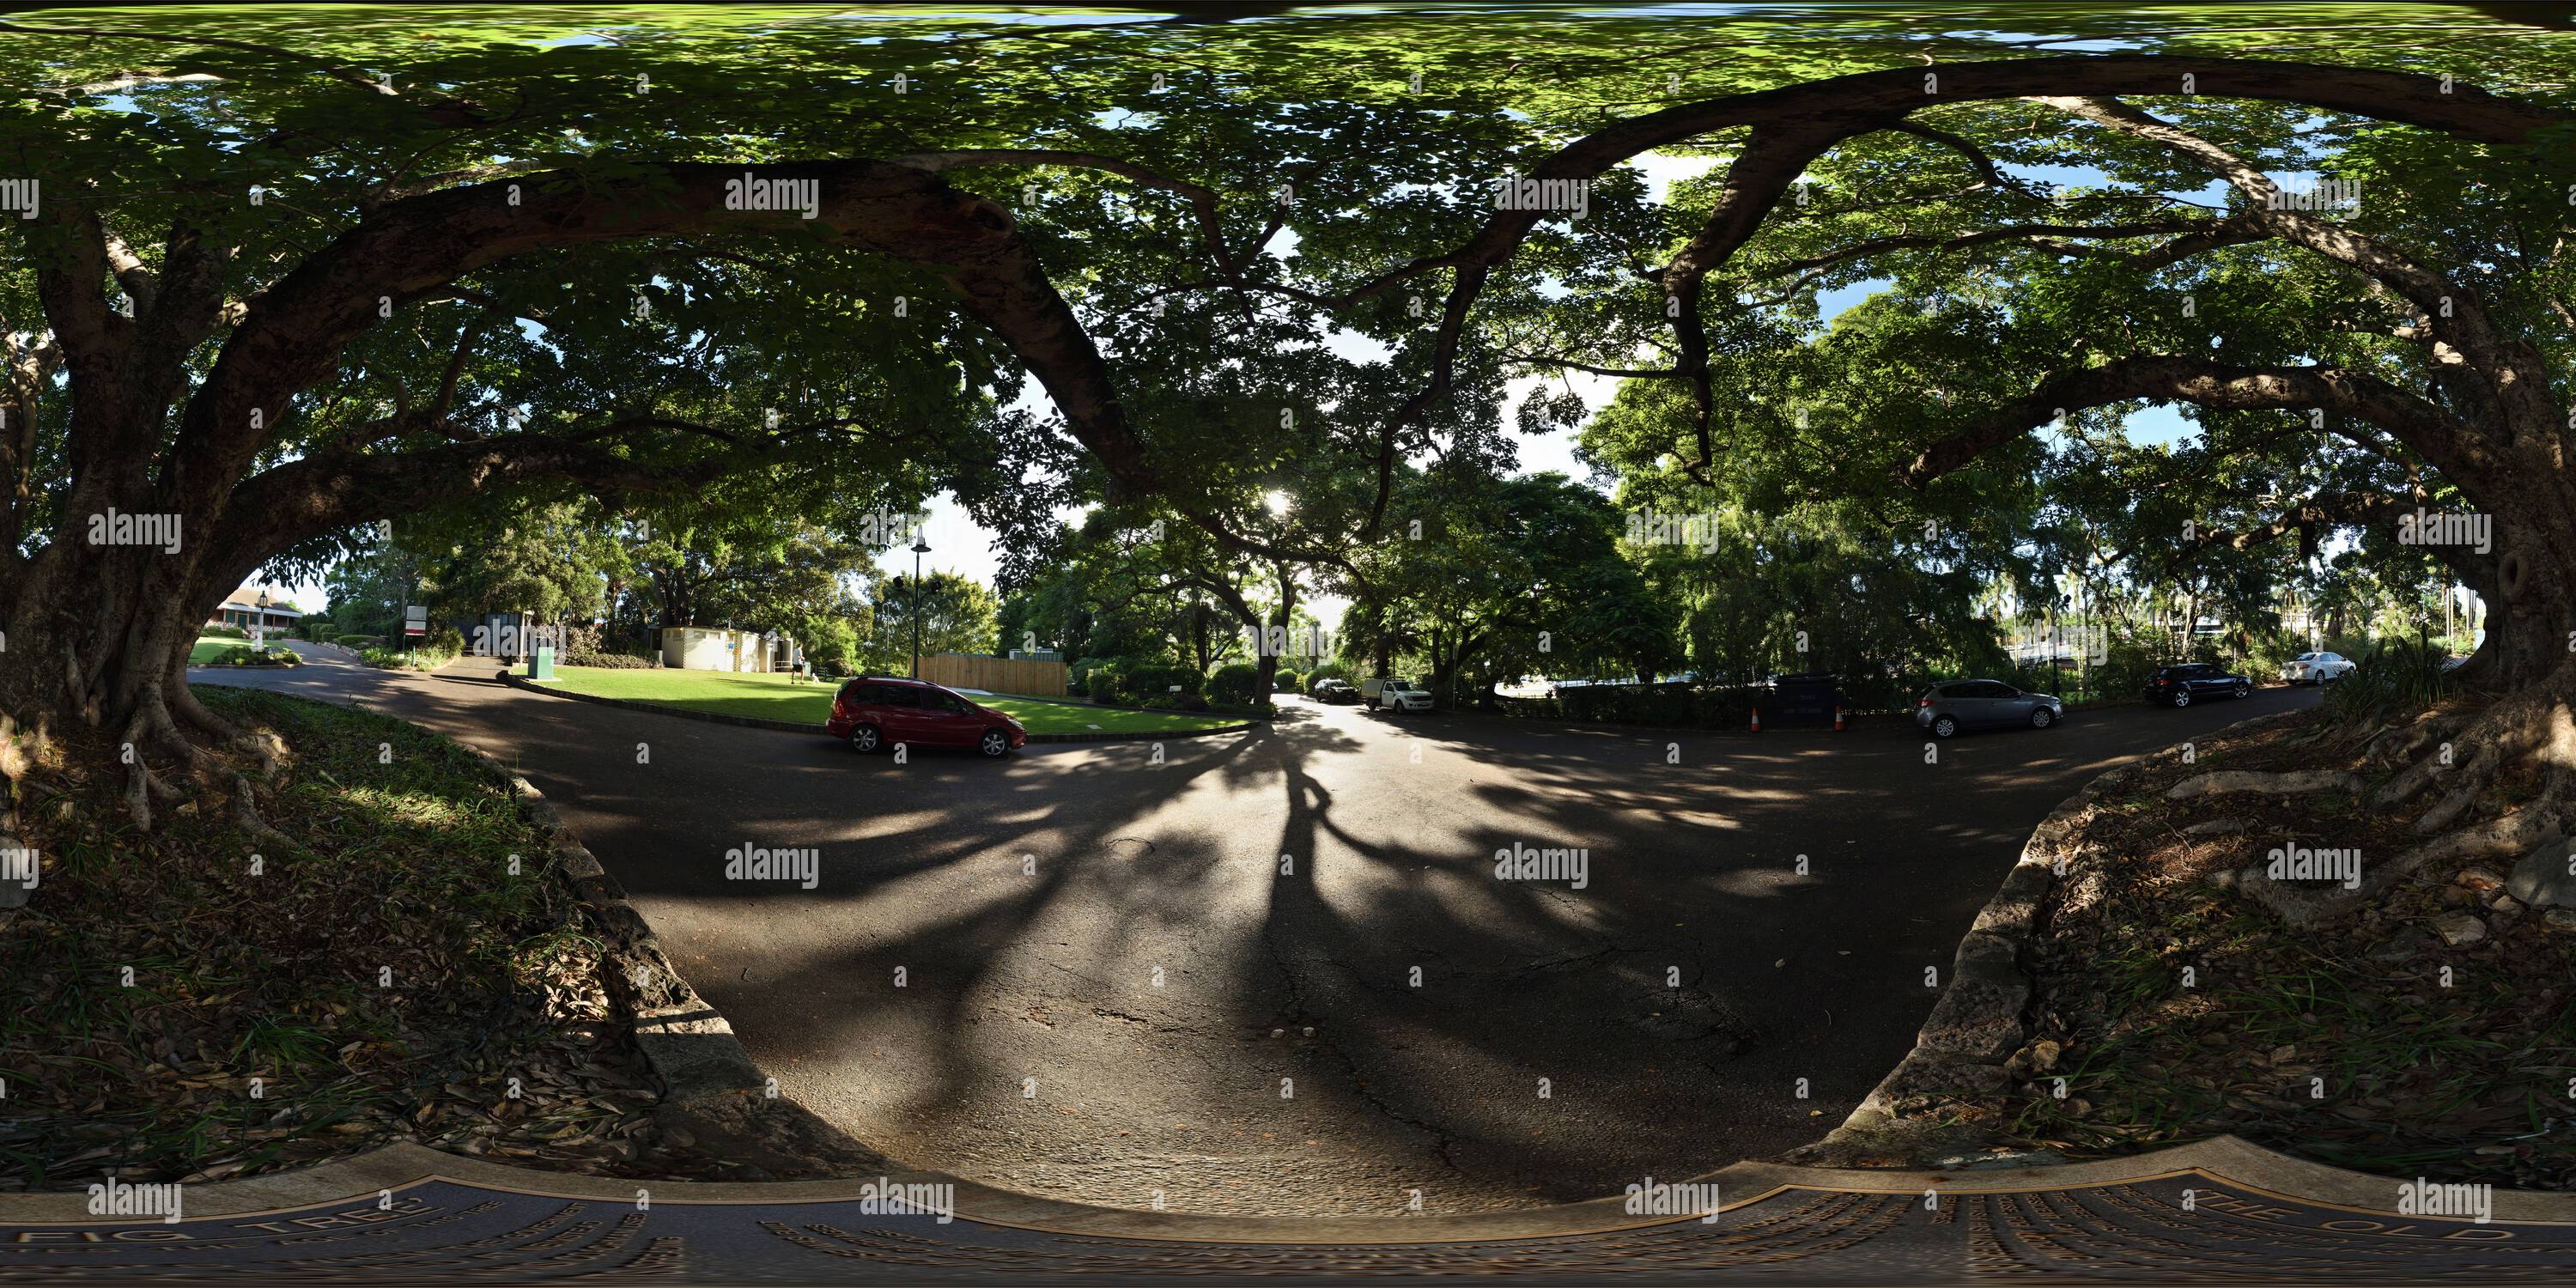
(385, 980)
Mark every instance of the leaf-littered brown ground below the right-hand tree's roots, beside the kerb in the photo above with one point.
(2173, 1009)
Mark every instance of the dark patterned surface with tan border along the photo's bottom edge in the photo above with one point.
(406, 1215)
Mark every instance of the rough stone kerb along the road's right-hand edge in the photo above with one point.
(1985, 1016)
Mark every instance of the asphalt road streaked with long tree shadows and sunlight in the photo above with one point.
(1279, 972)
